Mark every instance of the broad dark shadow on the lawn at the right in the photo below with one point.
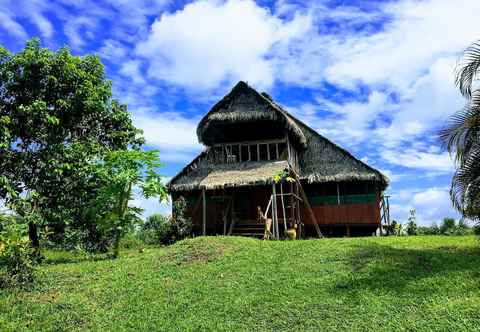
(383, 268)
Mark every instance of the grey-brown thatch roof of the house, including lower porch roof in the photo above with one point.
(320, 159)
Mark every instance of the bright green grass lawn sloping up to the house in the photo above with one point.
(239, 284)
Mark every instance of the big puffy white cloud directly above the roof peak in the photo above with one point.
(210, 42)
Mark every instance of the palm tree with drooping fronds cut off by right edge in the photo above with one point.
(462, 137)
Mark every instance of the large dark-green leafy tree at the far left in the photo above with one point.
(56, 115)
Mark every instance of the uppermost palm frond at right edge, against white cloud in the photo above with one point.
(468, 69)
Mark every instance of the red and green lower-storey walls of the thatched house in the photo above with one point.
(351, 208)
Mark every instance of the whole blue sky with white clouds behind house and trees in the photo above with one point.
(376, 77)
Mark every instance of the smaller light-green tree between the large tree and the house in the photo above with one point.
(122, 171)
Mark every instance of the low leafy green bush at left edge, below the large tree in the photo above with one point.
(16, 257)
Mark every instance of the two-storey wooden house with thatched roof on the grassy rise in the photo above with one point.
(259, 155)
